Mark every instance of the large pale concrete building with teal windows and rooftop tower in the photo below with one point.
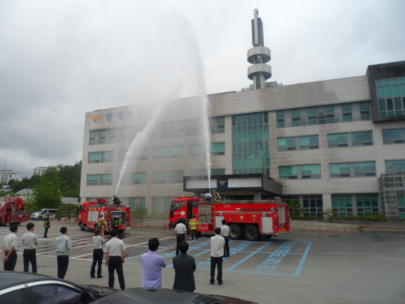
(331, 144)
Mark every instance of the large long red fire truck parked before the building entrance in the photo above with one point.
(250, 219)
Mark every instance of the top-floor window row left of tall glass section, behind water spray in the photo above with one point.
(163, 130)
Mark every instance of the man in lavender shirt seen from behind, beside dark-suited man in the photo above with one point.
(152, 264)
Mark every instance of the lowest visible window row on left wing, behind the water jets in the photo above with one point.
(139, 178)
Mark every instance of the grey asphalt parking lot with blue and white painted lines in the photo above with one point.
(296, 267)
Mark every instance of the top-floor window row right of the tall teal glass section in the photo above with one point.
(324, 115)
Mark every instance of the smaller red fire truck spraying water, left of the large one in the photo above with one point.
(90, 212)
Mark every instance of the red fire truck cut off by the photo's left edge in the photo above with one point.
(12, 211)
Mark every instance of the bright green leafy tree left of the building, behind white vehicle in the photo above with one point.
(46, 192)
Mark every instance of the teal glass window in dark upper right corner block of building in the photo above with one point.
(391, 96)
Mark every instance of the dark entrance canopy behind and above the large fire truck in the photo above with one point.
(236, 184)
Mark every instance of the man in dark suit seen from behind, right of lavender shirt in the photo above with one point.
(184, 267)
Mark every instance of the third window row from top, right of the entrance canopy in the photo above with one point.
(358, 169)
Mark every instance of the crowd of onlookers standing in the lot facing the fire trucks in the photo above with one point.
(114, 250)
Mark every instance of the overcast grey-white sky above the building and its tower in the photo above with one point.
(60, 59)
